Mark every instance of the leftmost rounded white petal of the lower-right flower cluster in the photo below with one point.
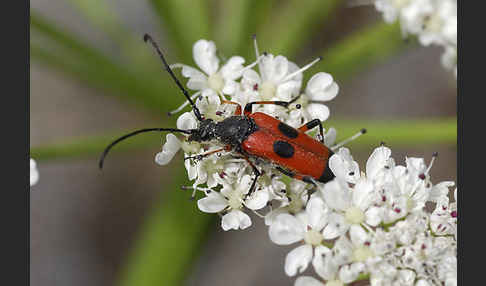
(286, 229)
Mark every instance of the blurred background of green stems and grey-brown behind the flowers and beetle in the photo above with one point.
(93, 79)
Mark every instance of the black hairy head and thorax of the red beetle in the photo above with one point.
(231, 131)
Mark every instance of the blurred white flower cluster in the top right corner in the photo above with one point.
(432, 21)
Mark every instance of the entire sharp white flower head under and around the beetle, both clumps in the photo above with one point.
(368, 225)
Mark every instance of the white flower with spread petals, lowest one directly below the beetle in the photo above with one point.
(232, 199)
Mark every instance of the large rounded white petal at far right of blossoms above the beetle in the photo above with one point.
(322, 87)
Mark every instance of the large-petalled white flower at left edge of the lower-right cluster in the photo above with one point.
(307, 227)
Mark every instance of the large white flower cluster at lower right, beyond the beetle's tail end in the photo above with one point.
(372, 225)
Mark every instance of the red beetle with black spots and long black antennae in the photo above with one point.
(254, 135)
